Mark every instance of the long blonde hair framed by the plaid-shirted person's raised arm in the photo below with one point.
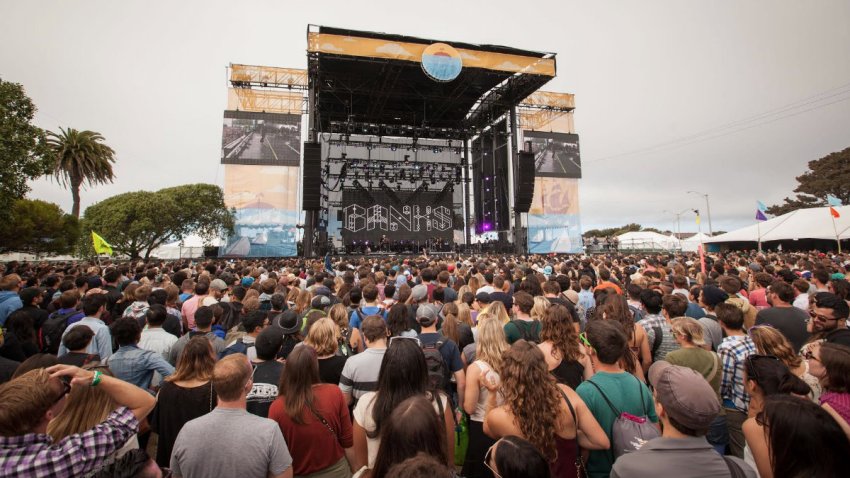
(85, 407)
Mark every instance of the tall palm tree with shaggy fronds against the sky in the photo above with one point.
(81, 157)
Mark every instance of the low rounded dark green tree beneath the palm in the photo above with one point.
(38, 227)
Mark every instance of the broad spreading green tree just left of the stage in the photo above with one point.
(138, 222)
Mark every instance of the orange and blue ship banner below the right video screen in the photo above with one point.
(553, 220)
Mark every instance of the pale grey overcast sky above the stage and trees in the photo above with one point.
(729, 98)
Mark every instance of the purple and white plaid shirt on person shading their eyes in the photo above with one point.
(35, 454)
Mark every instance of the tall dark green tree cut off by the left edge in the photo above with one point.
(23, 149)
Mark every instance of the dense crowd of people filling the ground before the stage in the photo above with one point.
(473, 366)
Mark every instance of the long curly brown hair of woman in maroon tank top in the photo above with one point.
(532, 396)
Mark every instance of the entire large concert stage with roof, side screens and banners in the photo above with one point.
(408, 144)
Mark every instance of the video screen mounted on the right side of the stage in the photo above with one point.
(555, 154)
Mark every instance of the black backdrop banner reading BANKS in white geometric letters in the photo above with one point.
(410, 216)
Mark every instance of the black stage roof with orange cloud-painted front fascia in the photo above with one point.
(376, 81)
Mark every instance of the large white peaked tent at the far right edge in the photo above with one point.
(813, 223)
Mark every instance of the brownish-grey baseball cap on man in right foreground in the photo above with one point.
(685, 394)
